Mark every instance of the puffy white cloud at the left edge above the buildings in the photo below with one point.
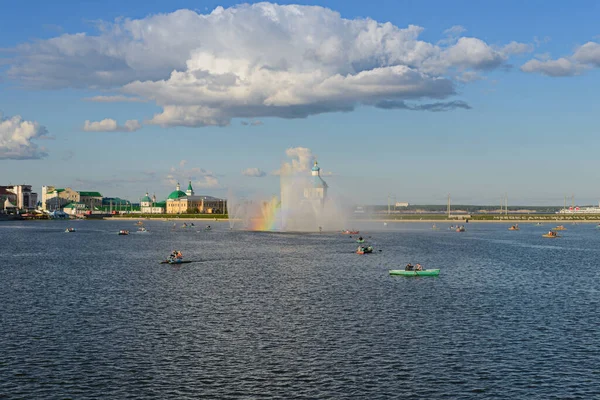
(17, 136)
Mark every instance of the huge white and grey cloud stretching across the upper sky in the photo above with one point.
(259, 60)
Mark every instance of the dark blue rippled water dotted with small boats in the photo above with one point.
(92, 314)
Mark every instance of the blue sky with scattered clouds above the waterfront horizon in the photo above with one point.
(403, 100)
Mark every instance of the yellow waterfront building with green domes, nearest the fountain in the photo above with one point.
(188, 202)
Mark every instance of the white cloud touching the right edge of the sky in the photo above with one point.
(583, 58)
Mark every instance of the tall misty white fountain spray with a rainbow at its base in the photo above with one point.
(305, 204)
